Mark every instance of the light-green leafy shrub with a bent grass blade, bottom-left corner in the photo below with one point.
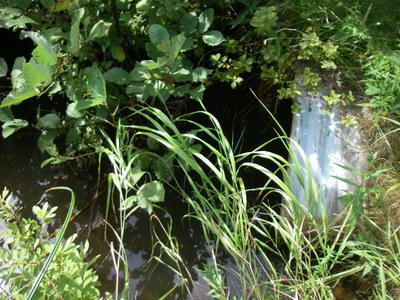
(26, 246)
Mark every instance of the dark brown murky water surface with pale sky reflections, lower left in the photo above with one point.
(21, 173)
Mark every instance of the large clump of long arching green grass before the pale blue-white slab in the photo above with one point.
(275, 253)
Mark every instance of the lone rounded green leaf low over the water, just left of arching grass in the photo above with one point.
(149, 193)
